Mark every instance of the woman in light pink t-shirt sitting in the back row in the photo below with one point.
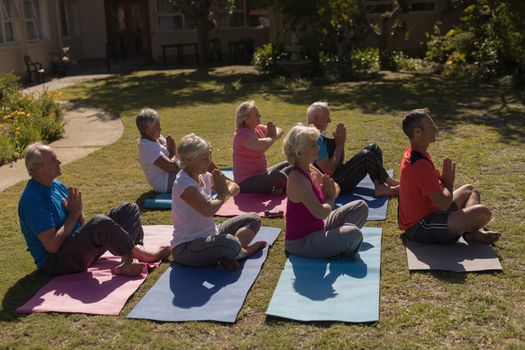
(250, 142)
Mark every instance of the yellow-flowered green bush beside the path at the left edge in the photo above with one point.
(26, 118)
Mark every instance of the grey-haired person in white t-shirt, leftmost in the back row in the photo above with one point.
(157, 154)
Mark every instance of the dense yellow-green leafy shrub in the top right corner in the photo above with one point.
(488, 42)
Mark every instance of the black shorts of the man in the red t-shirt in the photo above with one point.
(434, 228)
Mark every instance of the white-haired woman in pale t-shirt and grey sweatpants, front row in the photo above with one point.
(196, 240)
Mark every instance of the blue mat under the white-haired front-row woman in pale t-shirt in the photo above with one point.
(203, 293)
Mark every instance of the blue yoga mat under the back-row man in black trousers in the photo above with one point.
(377, 207)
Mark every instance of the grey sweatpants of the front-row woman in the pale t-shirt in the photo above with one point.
(213, 249)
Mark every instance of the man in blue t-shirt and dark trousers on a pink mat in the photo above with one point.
(56, 232)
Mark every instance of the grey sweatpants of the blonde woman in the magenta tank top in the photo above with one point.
(341, 237)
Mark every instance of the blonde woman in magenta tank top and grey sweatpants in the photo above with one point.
(313, 230)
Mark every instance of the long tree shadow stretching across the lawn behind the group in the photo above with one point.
(451, 102)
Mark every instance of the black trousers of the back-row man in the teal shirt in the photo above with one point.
(369, 160)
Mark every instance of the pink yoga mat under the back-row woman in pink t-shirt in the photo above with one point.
(252, 202)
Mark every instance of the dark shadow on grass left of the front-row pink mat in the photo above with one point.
(20, 293)
